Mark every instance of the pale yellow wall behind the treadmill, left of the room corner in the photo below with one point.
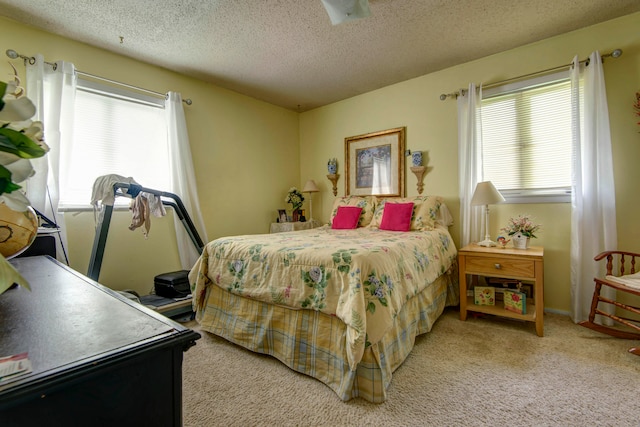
(245, 154)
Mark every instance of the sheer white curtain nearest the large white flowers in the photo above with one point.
(55, 107)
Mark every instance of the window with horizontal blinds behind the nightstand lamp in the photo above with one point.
(527, 139)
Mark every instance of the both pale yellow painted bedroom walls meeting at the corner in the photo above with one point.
(248, 153)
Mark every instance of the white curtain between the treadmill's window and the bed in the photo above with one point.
(183, 181)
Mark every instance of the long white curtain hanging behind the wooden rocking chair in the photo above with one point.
(593, 204)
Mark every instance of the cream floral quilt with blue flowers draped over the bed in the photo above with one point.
(362, 276)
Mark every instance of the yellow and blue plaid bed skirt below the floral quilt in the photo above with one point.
(309, 341)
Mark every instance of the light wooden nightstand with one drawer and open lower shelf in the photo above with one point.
(519, 264)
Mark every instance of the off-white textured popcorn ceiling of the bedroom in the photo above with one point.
(286, 52)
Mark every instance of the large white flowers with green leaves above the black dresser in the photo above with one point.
(20, 140)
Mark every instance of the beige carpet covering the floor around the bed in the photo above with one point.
(482, 372)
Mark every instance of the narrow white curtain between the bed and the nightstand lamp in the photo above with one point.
(469, 162)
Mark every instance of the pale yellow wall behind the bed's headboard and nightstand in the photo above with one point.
(432, 128)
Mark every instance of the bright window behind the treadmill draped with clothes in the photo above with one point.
(115, 132)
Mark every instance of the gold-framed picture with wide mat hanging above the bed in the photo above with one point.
(375, 163)
